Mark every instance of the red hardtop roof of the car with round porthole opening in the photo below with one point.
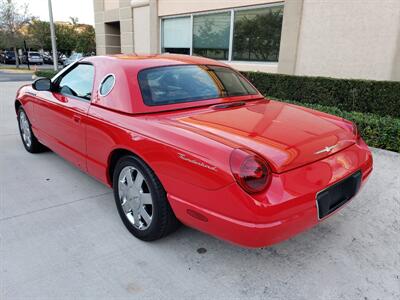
(126, 95)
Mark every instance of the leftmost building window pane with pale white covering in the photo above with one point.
(176, 35)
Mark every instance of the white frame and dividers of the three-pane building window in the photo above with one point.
(231, 29)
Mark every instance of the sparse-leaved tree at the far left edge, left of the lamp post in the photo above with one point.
(12, 18)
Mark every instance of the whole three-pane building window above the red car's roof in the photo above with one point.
(242, 34)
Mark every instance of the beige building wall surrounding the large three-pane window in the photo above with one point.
(344, 39)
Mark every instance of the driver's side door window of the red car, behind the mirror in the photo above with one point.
(78, 82)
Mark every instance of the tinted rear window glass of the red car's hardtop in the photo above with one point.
(187, 83)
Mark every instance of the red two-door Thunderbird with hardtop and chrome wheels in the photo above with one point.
(190, 139)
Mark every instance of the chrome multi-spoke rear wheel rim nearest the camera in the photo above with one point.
(135, 197)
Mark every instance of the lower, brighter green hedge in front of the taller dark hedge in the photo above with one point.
(377, 131)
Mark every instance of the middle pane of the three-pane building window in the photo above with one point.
(211, 35)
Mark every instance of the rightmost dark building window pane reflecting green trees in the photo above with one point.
(257, 34)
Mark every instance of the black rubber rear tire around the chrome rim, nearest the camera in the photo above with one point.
(163, 219)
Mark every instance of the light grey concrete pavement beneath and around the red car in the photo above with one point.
(61, 237)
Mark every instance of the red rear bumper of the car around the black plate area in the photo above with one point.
(286, 209)
